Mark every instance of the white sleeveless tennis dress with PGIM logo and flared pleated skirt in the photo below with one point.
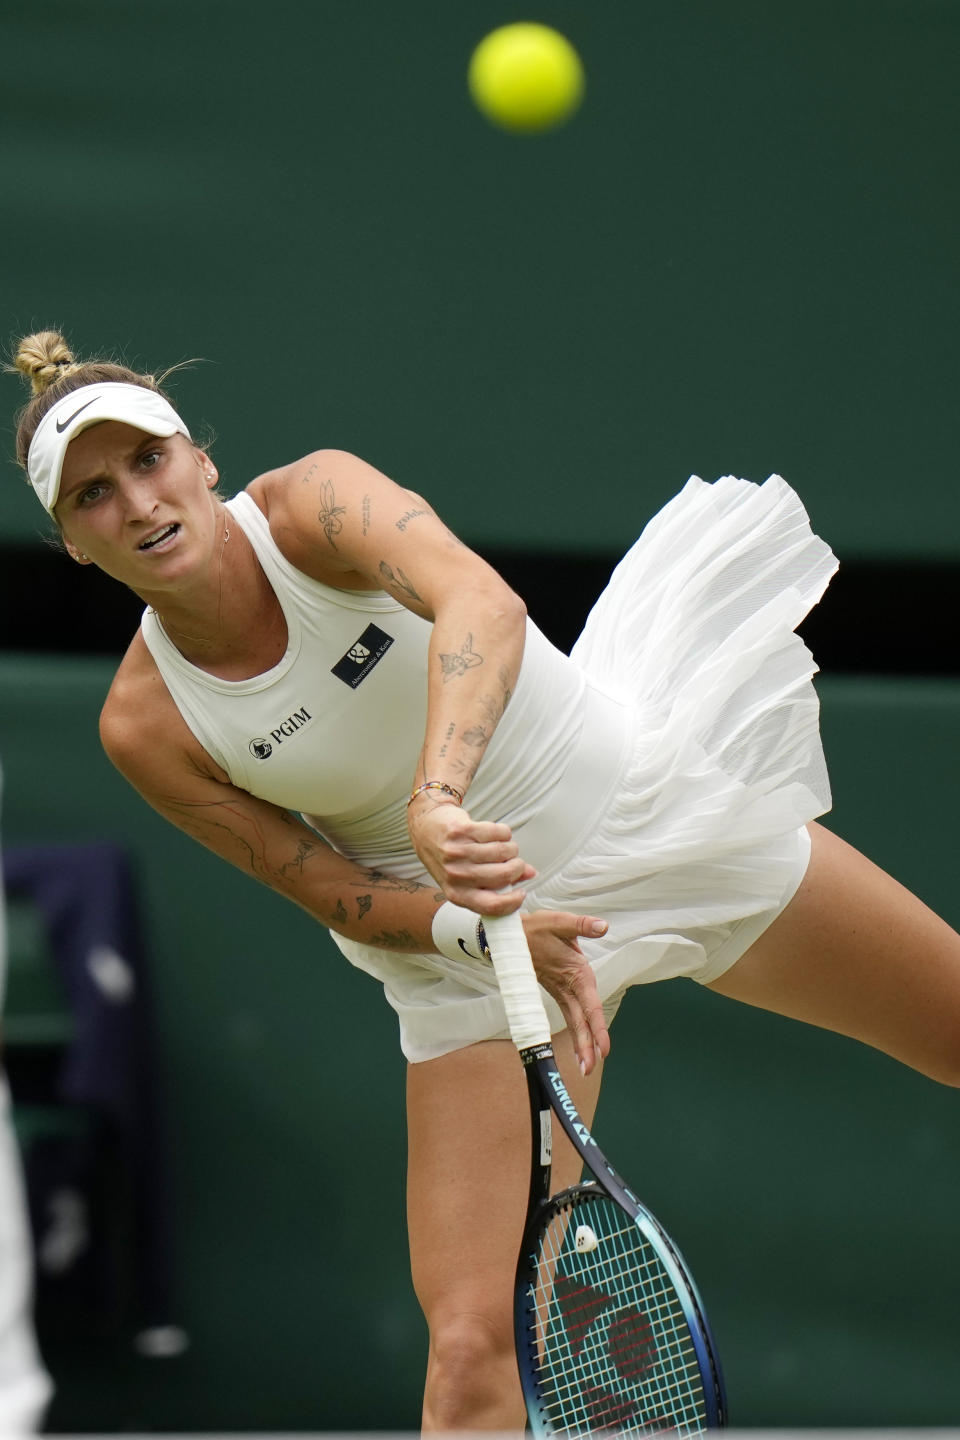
(660, 777)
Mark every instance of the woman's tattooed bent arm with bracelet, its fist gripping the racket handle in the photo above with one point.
(340, 521)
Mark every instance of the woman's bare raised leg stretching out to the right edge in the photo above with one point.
(859, 954)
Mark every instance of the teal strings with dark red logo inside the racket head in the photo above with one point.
(610, 1334)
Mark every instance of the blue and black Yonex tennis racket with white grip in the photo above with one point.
(611, 1333)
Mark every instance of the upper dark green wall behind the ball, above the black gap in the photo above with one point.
(741, 257)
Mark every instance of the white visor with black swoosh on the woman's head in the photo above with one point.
(80, 410)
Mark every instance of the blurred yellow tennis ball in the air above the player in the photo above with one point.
(526, 77)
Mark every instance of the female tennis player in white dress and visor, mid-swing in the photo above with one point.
(333, 693)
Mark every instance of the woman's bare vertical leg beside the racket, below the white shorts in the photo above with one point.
(467, 1197)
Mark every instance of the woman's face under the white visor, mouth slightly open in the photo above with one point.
(137, 506)
